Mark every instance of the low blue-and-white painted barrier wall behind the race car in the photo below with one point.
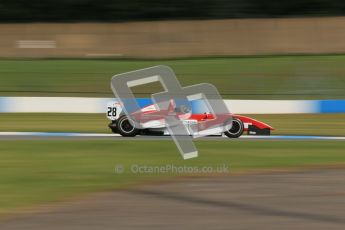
(98, 105)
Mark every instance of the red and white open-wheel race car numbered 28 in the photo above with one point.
(121, 123)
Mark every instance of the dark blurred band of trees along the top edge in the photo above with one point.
(135, 10)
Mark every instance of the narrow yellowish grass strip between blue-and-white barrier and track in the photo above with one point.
(300, 124)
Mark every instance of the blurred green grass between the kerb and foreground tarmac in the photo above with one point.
(38, 172)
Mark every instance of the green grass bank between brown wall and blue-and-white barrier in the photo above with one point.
(271, 77)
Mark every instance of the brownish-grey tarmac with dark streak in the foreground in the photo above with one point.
(291, 200)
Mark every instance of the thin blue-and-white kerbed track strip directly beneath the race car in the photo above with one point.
(117, 137)
